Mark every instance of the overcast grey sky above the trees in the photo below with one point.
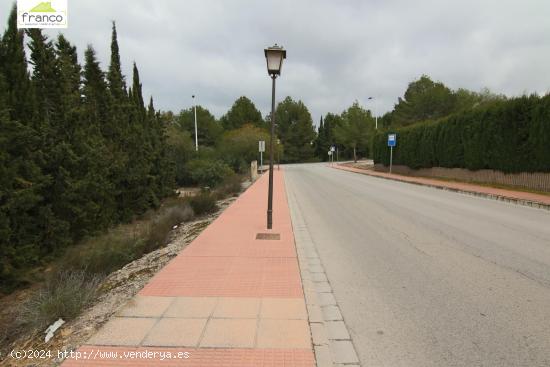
(337, 51)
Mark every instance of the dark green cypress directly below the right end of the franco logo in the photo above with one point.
(83, 199)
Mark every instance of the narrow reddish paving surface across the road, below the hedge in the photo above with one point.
(462, 186)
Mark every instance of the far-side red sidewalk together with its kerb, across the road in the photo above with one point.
(517, 197)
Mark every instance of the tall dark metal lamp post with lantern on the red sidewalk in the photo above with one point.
(274, 56)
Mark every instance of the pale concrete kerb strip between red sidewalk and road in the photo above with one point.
(331, 340)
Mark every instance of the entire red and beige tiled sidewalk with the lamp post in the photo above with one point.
(228, 299)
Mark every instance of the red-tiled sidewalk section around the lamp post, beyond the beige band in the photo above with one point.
(226, 260)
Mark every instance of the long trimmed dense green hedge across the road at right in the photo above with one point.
(509, 136)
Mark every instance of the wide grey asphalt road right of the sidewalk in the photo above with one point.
(426, 277)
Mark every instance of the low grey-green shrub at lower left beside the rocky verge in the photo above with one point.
(62, 296)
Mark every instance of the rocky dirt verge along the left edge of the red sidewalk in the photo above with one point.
(116, 290)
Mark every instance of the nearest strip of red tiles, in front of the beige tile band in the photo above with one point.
(206, 357)
